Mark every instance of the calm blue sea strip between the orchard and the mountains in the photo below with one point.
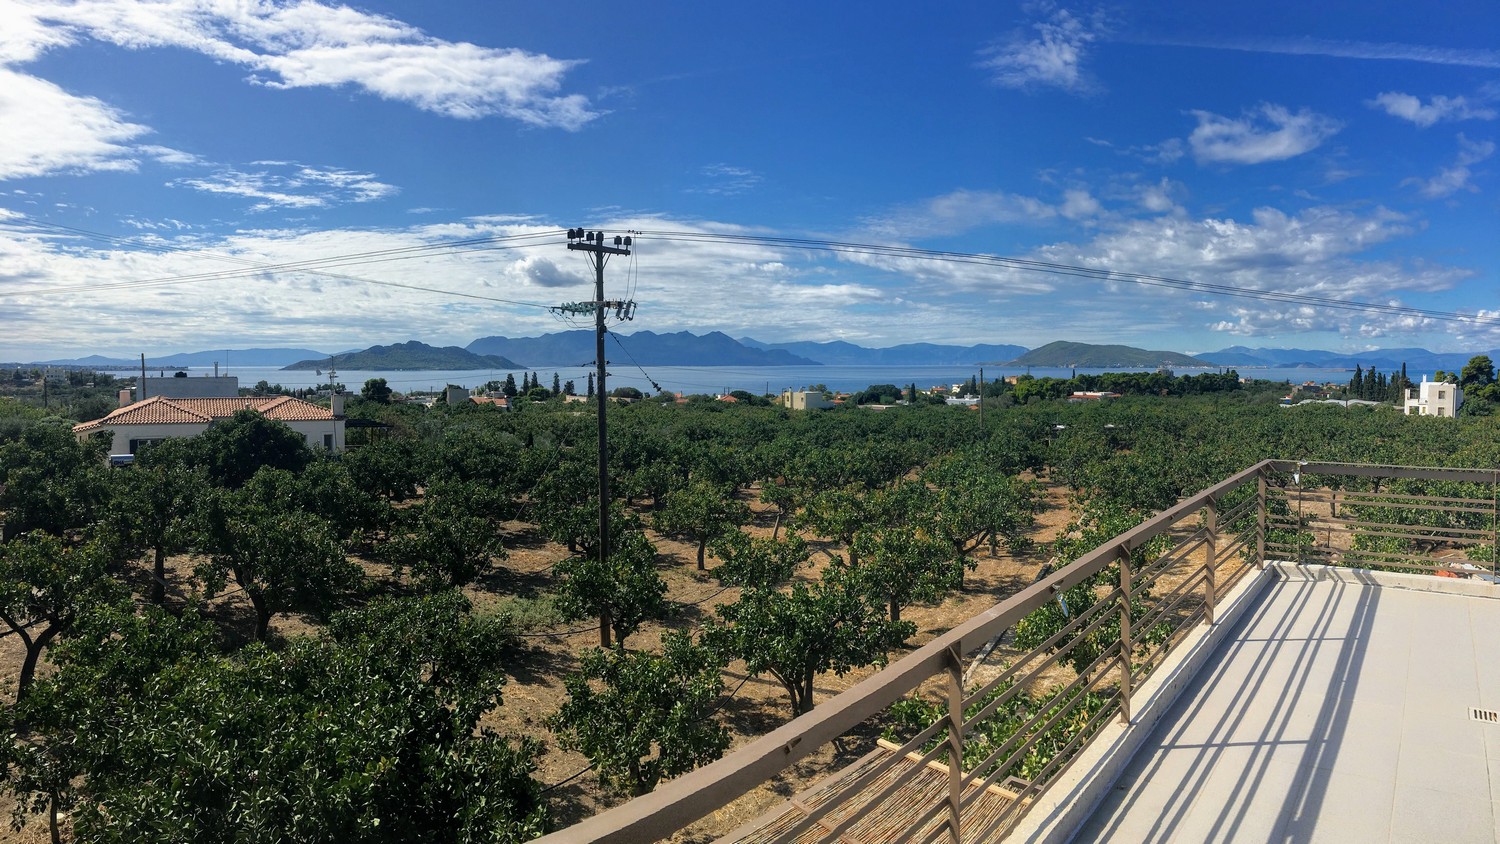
(719, 379)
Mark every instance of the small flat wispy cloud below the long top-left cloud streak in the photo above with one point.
(296, 187)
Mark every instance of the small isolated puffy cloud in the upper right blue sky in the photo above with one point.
(1267, 134)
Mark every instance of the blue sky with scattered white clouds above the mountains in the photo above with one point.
(1337, 151)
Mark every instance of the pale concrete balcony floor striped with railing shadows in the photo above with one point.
(1337, 713)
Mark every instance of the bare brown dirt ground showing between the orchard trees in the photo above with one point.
(535, 692)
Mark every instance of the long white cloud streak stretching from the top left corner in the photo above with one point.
(307, 44)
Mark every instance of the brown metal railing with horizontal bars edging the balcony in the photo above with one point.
(1142, 593)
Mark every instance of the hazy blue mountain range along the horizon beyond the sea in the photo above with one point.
(682, 349)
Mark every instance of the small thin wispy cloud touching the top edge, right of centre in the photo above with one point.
(1051, 56)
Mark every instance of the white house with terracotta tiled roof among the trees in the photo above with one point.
(160, 418)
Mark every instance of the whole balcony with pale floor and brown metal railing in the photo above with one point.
(1297, 653)
